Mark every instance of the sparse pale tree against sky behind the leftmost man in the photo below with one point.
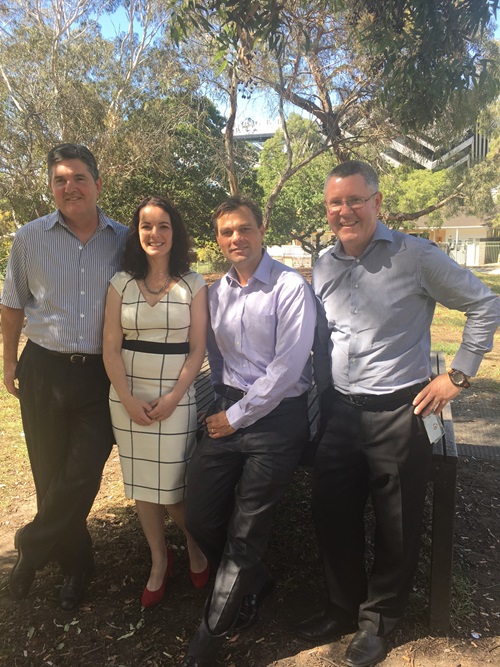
(61, 80)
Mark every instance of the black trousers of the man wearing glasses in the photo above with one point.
(384, 454)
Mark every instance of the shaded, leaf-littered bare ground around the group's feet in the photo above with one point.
(111, 628)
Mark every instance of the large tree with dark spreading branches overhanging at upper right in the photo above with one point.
(364, 70)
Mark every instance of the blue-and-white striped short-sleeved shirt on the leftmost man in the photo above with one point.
(61, 283)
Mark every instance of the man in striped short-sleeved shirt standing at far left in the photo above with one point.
(57, 277)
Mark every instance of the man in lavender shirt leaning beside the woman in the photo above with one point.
(262, 317)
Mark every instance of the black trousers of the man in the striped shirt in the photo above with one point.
(68, 433)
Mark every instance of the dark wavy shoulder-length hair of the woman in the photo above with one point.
(134, 259)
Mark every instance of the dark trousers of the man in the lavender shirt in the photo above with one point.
(234, 486)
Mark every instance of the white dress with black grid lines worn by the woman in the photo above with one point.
(154, 458)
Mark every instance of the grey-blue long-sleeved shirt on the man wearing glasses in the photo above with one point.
(375, 313)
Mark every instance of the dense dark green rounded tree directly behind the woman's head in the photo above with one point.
(173, 147)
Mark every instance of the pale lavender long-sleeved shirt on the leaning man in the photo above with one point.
(260, 338)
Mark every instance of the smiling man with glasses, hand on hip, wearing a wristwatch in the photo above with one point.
(377, 289)
